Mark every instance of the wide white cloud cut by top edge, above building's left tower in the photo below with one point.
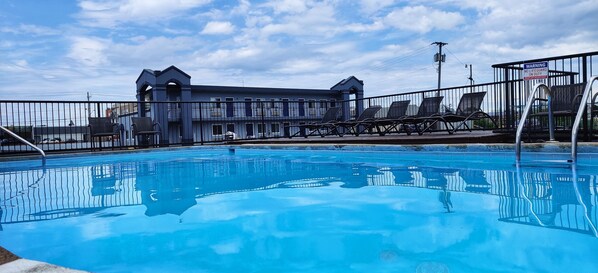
(110, 13)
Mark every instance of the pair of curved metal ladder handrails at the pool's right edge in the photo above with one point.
(576, 123)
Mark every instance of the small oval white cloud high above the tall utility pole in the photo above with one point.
(423, 19)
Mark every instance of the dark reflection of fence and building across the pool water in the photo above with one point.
(549, 199)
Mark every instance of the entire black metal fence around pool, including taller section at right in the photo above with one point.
(62, 125)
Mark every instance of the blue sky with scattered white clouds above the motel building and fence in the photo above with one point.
(62, 49)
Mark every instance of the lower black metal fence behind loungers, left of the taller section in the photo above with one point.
(60, 126)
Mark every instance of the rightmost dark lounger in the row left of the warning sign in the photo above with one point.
(469, 109)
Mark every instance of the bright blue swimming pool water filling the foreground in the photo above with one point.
(254, 210)
